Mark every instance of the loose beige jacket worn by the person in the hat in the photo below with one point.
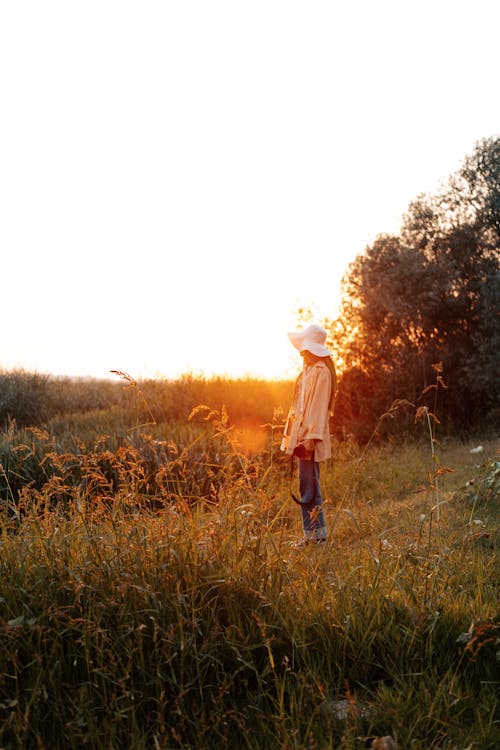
(308, 418)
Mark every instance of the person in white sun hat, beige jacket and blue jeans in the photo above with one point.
(307, 429)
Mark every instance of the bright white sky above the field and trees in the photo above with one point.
(178, 178)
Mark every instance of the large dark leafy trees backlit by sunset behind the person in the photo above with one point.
(429, 295)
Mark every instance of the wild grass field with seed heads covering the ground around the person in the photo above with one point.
(151, 595)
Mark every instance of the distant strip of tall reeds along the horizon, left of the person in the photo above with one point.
(32, 399)
